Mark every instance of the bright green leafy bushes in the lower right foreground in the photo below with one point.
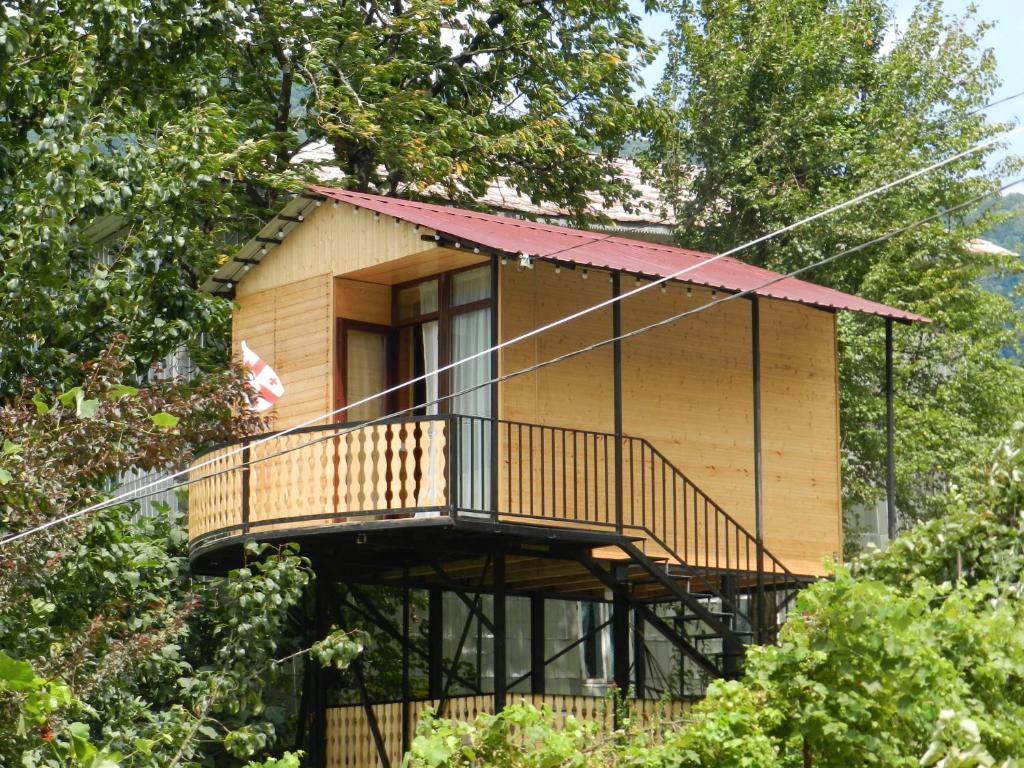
(915, 658)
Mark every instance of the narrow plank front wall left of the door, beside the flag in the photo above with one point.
(291, 327)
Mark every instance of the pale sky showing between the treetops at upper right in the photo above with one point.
(1007, 41)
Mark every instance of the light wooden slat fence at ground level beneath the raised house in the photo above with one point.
(351, 744)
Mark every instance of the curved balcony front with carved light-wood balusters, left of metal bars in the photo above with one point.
(321, 479)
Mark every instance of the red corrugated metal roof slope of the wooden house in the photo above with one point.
(604, 251)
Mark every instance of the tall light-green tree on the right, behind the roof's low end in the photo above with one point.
(783, 108)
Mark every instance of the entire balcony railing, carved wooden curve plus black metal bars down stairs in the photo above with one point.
(445, 465)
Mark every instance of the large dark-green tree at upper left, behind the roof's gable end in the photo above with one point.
(175, 125)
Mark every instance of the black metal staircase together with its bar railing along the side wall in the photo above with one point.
(689, 568)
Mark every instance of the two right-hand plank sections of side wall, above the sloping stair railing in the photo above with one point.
(688, 389)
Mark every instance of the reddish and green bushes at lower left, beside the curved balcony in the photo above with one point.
(141, 656)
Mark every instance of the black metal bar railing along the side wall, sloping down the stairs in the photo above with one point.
(599, 480)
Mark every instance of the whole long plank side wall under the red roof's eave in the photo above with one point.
(688, 389)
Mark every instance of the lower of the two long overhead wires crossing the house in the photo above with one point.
(342, 432)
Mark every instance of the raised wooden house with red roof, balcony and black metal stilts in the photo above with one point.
(672, 455)
